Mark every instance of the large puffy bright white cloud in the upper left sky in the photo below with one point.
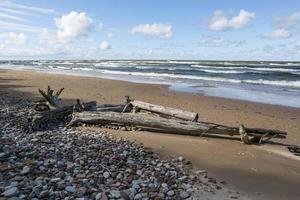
(73, 25)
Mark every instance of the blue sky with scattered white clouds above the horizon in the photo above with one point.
(152, 29)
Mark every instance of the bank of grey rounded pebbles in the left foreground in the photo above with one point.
(82, 164)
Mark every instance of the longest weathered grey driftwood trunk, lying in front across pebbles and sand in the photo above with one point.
(172, 125)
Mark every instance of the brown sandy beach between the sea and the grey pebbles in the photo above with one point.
(265, 171)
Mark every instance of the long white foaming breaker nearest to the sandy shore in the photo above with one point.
(216, 79)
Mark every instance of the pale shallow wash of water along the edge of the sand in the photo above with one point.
(221, 91)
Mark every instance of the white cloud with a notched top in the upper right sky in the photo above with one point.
(220, 22)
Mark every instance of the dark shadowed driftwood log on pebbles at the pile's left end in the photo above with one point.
(40, 119)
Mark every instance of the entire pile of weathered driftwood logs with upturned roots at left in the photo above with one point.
(169, 119)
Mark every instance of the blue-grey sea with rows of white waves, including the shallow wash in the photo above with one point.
(258, 81)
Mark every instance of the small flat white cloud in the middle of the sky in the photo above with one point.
(156, 29)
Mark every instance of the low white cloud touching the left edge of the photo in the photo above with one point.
(13, 38)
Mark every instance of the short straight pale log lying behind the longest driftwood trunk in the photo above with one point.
(173, 112)
